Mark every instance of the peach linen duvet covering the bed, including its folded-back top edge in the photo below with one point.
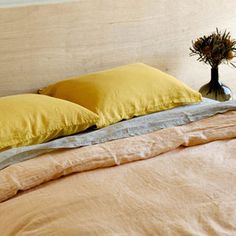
(183, 184)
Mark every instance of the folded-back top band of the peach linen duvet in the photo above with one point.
(31, 173)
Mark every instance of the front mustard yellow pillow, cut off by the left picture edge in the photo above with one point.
(31, 119)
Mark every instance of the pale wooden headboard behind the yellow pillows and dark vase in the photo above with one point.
(46, 43)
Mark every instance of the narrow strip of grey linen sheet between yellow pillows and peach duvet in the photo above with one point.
(136, 126)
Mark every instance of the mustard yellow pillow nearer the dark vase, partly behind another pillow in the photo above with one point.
(124, 92)
